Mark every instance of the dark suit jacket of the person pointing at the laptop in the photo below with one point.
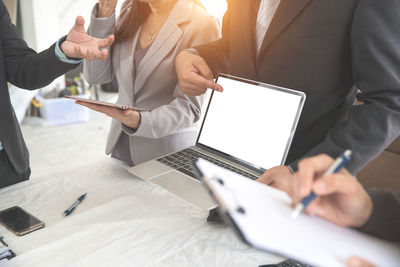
(323, 48)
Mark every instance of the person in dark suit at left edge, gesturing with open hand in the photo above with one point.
(24, 68)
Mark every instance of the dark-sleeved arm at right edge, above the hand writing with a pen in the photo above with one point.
(371, 127)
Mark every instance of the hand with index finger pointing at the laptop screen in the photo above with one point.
(194, 75)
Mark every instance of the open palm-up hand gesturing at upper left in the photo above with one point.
(80, 45)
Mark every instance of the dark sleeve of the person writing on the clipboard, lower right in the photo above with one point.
(385, 218)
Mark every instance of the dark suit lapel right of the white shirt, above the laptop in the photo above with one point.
(285, 14)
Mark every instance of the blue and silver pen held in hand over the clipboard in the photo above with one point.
(336, 166)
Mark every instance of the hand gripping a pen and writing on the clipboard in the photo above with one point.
(341, 199)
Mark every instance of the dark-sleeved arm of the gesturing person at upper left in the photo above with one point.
(24, 67)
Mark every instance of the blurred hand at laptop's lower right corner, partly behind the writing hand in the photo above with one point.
(278, 177)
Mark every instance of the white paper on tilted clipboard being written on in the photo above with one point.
(265, 223)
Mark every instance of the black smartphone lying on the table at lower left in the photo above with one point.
(19, 221)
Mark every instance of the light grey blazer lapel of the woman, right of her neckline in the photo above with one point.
(166, 40)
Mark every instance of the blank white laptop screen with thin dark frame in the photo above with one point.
(251, 122)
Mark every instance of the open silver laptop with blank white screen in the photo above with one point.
(248, 128)
